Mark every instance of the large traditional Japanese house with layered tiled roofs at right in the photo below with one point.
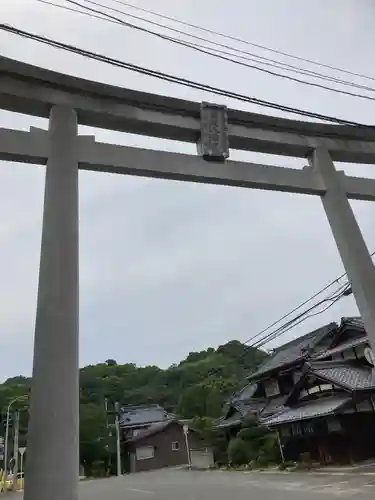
(318, 393)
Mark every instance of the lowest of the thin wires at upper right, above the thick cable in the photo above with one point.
(208, 51)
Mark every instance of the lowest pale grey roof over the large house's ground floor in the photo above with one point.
(312, 409)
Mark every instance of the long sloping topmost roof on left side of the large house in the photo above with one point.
(293, 351)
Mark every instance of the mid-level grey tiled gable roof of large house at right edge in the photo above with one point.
(347, 375)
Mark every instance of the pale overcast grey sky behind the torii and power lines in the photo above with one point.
(167, 267)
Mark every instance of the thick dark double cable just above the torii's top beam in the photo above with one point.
(173, 79)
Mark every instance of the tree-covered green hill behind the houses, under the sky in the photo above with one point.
(197, 386)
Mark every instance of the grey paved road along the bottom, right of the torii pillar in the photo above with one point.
(216, 485)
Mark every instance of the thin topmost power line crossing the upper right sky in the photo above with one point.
(241, 40)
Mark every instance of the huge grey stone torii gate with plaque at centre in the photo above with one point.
(53, 438)
